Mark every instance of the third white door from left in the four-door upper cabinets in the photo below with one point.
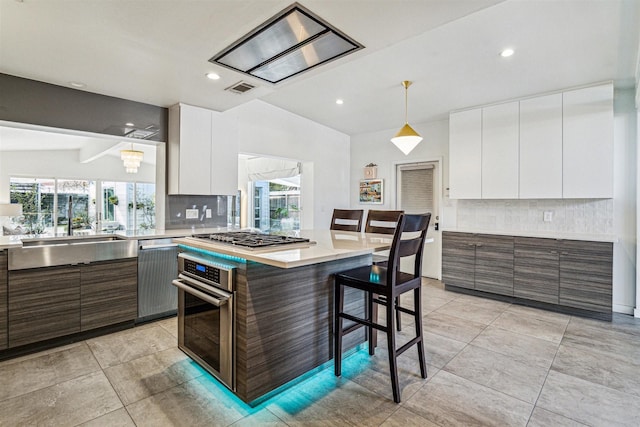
(541, 147)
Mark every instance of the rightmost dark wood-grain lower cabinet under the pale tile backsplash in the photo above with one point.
(586, 275)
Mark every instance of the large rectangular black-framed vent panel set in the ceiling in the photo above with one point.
(290, 43)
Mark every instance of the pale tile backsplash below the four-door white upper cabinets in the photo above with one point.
(589, 216)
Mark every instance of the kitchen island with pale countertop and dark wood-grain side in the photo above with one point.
(284, 305)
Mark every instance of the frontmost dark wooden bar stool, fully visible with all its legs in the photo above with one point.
(388, 282)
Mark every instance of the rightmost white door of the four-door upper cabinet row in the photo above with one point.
(588, 143)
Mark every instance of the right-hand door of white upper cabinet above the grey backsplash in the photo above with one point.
(224, 157)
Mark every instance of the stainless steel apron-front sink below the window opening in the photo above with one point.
(52, 251)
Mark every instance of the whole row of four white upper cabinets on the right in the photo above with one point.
(547, 147)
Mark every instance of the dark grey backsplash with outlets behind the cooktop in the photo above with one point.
(176, 211)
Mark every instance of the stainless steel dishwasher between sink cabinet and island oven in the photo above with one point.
(157, 268)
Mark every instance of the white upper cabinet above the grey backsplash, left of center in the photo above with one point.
(202, 152)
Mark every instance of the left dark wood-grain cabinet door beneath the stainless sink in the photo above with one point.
(43, 303)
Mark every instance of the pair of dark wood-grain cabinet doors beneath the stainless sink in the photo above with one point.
(52, 302)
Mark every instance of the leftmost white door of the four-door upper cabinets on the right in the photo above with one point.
(465, 154)
